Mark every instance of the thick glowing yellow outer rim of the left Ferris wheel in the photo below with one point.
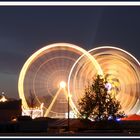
(38, 53)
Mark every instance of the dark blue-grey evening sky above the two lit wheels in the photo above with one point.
(23, 30)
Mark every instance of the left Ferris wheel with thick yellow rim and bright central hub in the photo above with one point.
(45, 75)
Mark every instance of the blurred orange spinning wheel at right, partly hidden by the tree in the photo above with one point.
(122, 71)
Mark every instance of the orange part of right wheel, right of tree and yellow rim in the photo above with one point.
(122, 70)
